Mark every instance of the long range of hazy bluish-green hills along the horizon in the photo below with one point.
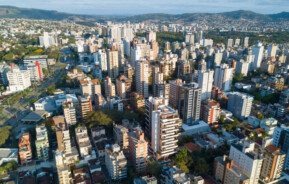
(15, 12)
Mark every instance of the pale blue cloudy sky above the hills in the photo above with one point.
(129, 7)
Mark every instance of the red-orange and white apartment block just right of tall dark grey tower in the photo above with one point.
(210, 111)
